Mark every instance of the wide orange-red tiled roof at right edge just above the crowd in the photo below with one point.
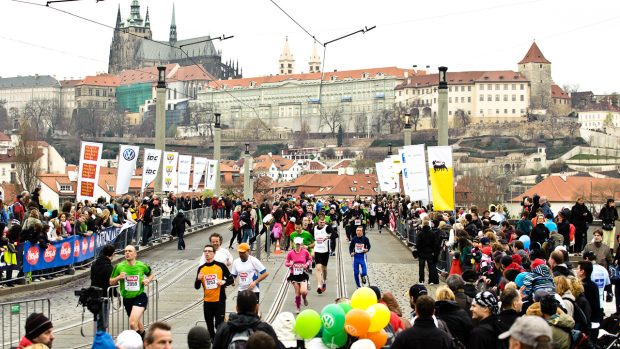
(558, 189)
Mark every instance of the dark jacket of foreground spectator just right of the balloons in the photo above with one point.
(423, 334)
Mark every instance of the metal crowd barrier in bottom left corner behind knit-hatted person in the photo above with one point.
(13, 318)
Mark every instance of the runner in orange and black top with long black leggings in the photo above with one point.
(214, 277)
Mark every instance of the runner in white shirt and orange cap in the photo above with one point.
(249, 270)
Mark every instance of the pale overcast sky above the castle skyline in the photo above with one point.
(580, 38)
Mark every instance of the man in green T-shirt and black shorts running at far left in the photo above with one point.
(133, 276)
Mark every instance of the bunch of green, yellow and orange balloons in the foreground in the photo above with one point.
(364, 318)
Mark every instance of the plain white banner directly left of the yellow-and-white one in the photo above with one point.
(415, 177)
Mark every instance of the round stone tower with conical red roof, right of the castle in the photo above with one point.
(537, 69)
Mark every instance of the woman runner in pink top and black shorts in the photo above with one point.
(299, 260)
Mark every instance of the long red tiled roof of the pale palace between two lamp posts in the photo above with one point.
(339, 75)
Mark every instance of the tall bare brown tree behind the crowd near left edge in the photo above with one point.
(26, 156)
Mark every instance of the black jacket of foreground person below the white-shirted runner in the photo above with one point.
(238, 323)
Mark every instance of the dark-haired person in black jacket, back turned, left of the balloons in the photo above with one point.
(242, 324)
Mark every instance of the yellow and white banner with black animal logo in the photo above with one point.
(441, 173)
